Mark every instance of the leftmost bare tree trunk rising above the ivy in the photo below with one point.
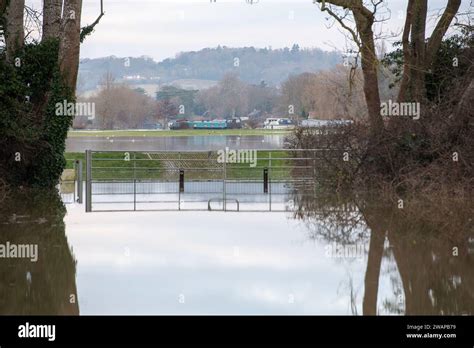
(14, 30)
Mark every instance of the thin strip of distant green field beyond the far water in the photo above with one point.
(175, 133)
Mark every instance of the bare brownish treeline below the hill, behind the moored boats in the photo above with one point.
(321, 95)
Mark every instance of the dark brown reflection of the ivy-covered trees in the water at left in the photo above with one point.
(44, 287)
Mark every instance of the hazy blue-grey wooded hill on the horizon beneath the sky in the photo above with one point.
(252, 64)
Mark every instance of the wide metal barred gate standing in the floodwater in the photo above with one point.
(240, 180)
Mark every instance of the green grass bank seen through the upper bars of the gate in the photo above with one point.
(147, 166)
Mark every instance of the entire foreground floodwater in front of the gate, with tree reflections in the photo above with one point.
(325, 256)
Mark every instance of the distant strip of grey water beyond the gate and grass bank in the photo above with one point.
(174, 143)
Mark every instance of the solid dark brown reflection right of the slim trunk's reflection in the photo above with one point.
(434, 280)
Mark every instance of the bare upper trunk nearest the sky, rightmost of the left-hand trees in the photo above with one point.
(69, 48)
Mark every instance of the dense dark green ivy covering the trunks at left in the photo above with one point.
(30, 127)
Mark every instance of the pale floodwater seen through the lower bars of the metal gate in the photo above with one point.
(197, 195)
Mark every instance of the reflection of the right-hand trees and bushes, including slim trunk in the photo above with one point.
(434, 281)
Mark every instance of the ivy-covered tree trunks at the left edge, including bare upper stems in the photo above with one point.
(35, 77)
